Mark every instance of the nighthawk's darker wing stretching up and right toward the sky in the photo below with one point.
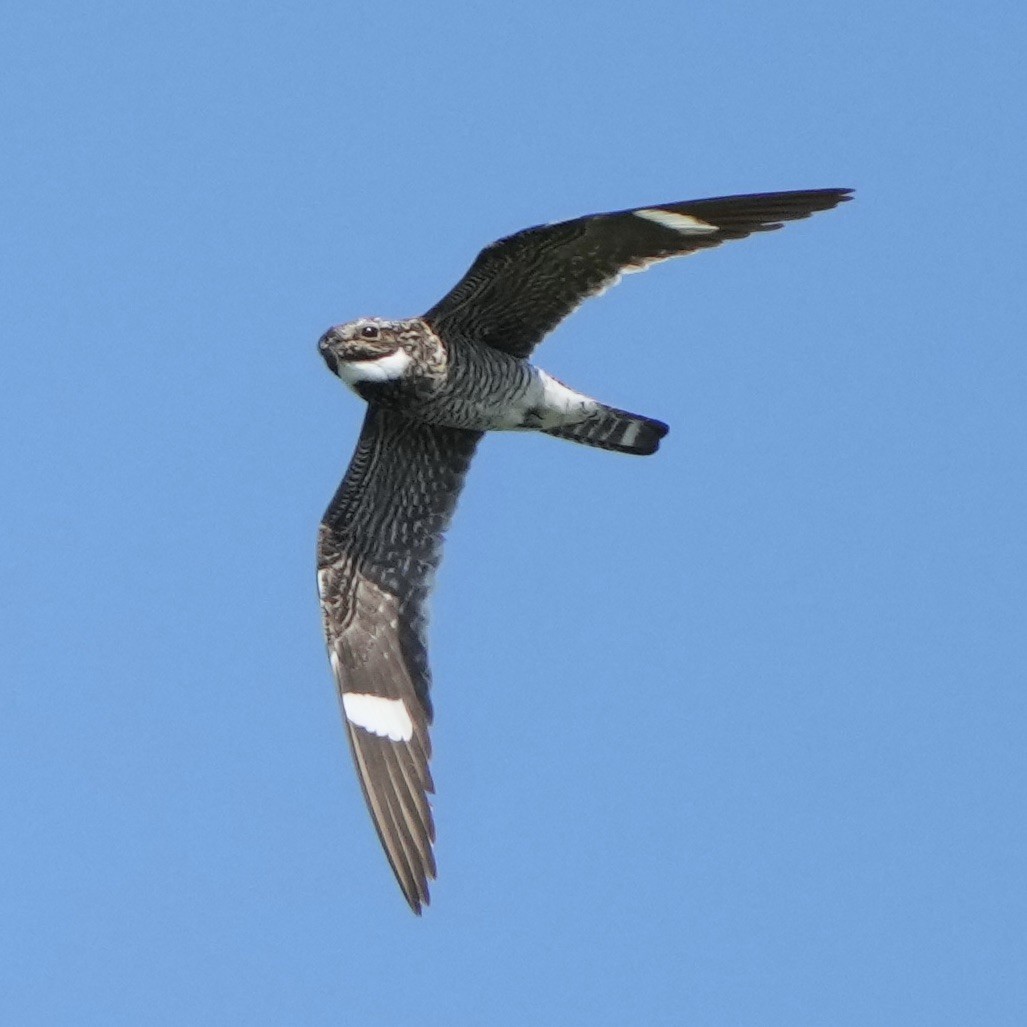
(522, 287)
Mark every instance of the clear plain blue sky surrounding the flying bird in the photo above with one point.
(734, 735)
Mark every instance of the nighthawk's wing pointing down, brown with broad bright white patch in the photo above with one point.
(379, 545)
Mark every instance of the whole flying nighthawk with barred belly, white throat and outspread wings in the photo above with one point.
(434, 386)
